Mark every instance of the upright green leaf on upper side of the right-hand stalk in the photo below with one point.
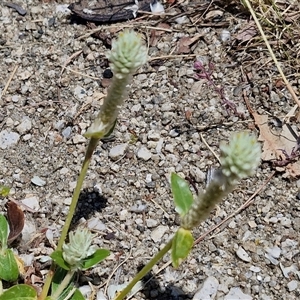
(183, 197)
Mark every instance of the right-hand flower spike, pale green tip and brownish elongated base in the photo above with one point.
(239, 159)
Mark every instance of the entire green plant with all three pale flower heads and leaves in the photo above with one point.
(239, 159)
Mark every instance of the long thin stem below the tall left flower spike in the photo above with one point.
(88, 155)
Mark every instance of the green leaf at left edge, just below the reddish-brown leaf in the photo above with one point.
(9, 270)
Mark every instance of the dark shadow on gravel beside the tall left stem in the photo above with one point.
(89, 202)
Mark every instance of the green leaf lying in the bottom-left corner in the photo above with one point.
(19, 292)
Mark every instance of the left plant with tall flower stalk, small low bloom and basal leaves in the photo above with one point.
(128, 54)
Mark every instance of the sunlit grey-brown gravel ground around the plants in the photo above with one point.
(167, 121)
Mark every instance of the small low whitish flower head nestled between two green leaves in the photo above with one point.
(78, 248)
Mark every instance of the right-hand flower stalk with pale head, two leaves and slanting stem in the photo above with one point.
(239, 159)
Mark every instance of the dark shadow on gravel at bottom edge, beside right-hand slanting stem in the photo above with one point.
(171, 291)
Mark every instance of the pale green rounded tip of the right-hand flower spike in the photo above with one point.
(240, 157)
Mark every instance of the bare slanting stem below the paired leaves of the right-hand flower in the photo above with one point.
(145, 270)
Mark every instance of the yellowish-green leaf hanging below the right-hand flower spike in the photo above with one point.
(181, 246)
